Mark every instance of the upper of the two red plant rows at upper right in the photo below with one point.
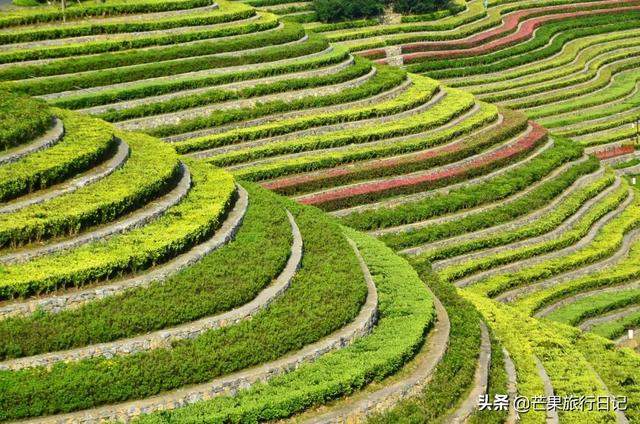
(509, 25)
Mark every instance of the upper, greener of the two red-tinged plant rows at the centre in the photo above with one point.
(512, 123)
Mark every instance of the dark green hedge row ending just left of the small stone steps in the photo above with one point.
(360, 68)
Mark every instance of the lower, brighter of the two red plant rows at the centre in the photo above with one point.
(368, 192)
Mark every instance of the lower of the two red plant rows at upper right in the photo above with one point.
(524, 32)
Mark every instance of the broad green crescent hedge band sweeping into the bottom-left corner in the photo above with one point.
(326, 294)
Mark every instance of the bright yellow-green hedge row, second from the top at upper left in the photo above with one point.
(97, 28)
